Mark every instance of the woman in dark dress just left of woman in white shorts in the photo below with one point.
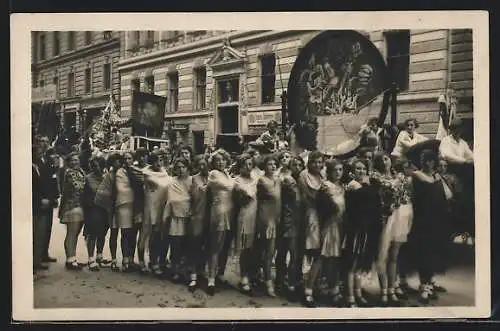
(361, 230)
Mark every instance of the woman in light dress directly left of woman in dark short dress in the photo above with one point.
(331, 208)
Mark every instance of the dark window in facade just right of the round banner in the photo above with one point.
(398, 57)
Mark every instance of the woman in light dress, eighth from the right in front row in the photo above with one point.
(245, 196)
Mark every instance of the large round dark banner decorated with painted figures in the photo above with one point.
(333, 90)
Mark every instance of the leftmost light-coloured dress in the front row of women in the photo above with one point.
(124, 205)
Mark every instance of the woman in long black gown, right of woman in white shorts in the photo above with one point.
(430, 226)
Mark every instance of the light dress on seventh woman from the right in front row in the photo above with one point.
(269, 206)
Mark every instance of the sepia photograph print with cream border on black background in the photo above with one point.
(284, 172)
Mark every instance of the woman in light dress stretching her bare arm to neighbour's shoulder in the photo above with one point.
(152, 232)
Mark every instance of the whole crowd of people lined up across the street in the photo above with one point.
(292, 220)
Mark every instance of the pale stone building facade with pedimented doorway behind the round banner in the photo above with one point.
(231, 82)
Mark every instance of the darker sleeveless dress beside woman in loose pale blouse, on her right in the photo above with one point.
(198, 222)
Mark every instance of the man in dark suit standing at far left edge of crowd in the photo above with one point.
(49, 194)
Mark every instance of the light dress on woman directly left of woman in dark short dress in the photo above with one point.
(331, 240)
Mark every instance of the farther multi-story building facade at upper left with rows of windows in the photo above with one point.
(79, 69)
